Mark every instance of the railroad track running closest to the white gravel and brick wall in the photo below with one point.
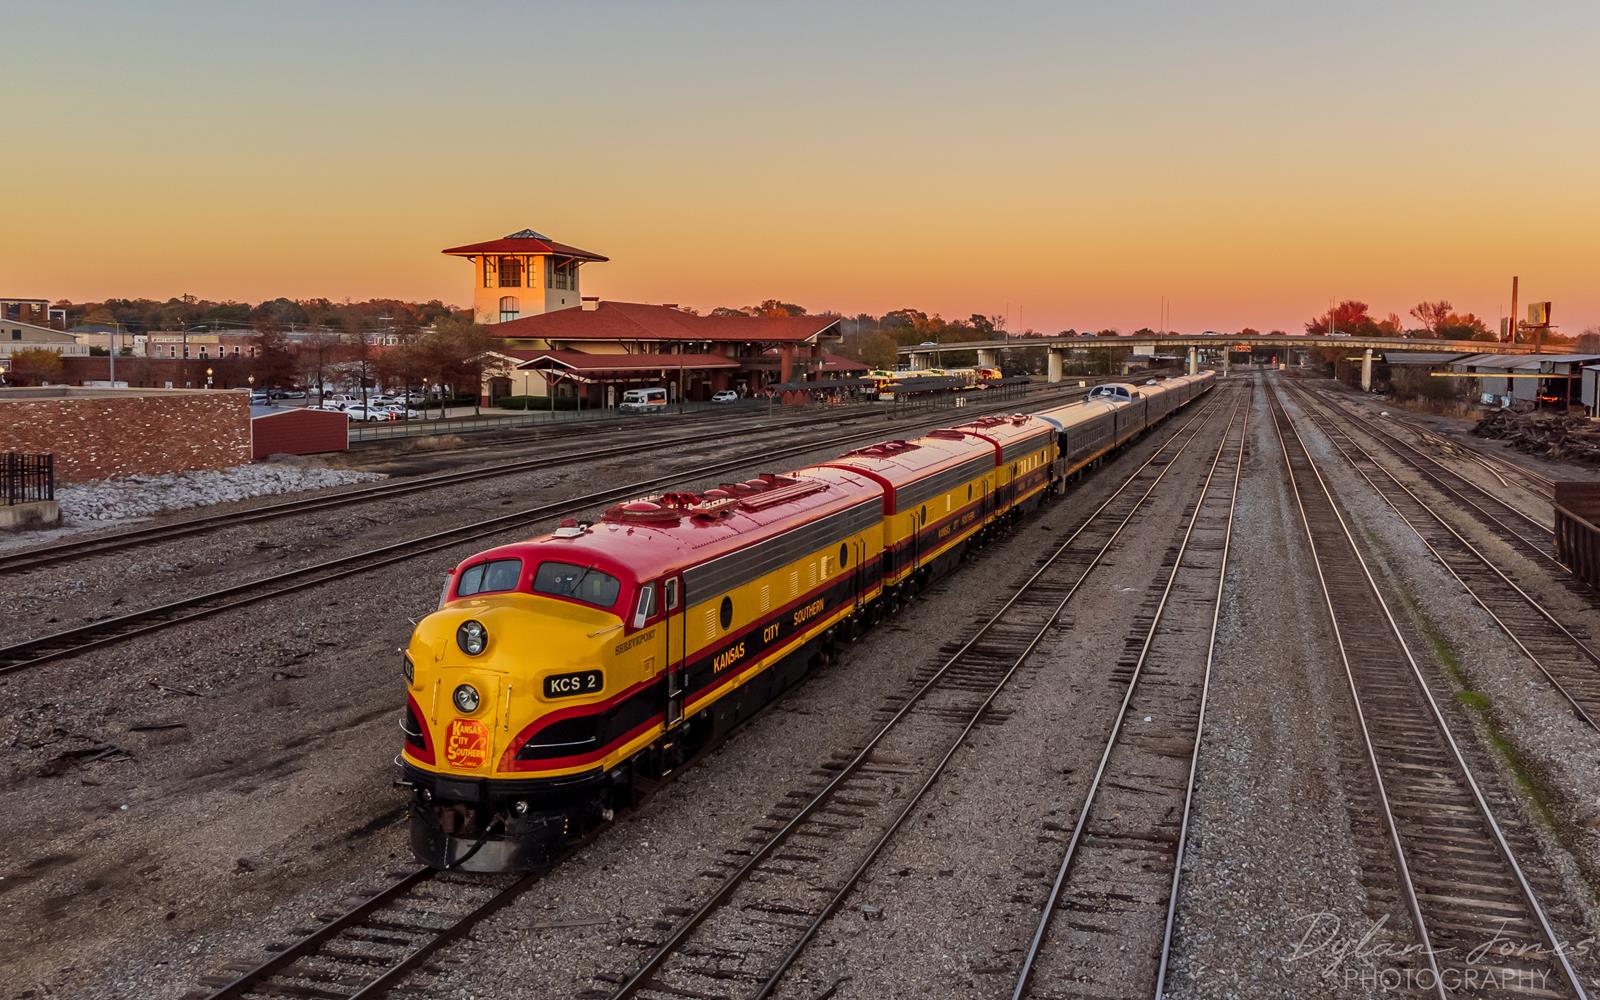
(74, 550)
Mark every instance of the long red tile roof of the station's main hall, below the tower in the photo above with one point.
(639, 322)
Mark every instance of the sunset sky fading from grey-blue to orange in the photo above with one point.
(1068, 162)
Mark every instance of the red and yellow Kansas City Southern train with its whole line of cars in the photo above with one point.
(566, 676)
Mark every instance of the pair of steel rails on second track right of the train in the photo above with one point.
(1090, 799)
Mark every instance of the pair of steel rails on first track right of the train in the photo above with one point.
(644, 977)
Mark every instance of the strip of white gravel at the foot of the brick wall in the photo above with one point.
(146, 495)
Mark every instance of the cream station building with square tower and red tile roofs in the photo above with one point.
(558, 342)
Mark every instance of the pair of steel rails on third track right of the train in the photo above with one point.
(1497, 834)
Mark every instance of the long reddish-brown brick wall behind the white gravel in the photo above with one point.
(103, 433)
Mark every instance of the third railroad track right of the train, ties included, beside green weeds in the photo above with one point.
(1460, 874)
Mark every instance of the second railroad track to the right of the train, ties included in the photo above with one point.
(1116, 890)
